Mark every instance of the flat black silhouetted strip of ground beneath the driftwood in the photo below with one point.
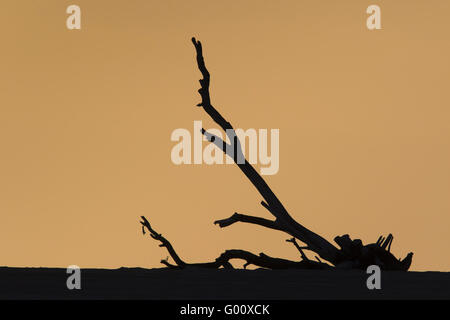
(136, 283)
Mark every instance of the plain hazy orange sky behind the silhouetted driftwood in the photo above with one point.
(86, 118)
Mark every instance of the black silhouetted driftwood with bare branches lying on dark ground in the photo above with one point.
(349, 253)
